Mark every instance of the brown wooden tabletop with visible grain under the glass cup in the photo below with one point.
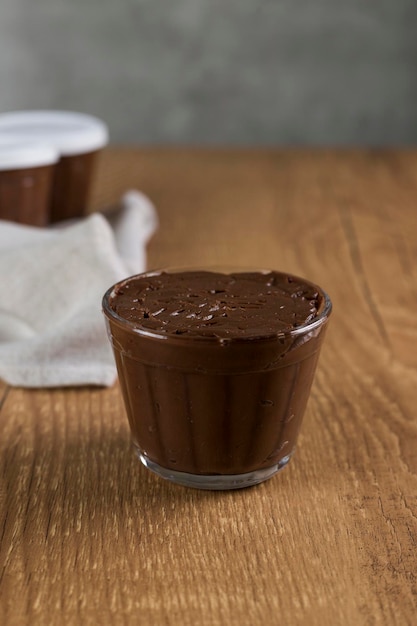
(88, 536)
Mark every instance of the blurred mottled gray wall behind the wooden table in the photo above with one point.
(318, 72)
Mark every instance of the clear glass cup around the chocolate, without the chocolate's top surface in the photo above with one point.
(213, 413)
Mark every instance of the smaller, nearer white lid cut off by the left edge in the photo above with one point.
(16, 155)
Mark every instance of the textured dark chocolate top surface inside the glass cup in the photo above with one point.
(214, 304)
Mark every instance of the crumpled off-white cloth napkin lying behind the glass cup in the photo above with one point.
(52, 331)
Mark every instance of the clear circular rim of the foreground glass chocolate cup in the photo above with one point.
(303, 329)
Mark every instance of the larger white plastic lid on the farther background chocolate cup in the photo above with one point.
(70, 133)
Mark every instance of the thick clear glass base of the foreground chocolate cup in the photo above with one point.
(215, 481)
